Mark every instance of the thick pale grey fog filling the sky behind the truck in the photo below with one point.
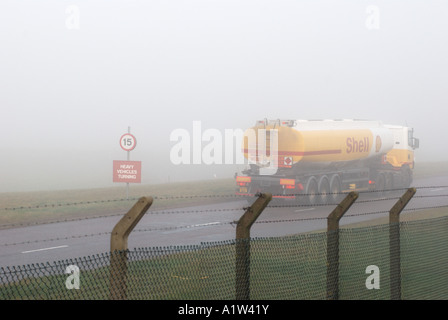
(74, 75)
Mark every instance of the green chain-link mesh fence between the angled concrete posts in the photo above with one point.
(283, 268)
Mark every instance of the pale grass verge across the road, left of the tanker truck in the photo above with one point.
(41, 207)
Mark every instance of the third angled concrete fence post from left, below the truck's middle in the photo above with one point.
(333, 245)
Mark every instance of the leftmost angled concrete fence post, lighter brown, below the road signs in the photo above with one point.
(119, 247)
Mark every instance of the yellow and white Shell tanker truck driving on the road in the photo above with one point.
(318, 160)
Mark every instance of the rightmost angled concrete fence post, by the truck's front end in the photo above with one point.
(394, 243)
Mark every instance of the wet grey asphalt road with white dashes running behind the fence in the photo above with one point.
(192, 225)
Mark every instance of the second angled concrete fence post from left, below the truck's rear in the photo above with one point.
(242, 285)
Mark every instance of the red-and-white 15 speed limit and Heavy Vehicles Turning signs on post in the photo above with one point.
(127, 171)
